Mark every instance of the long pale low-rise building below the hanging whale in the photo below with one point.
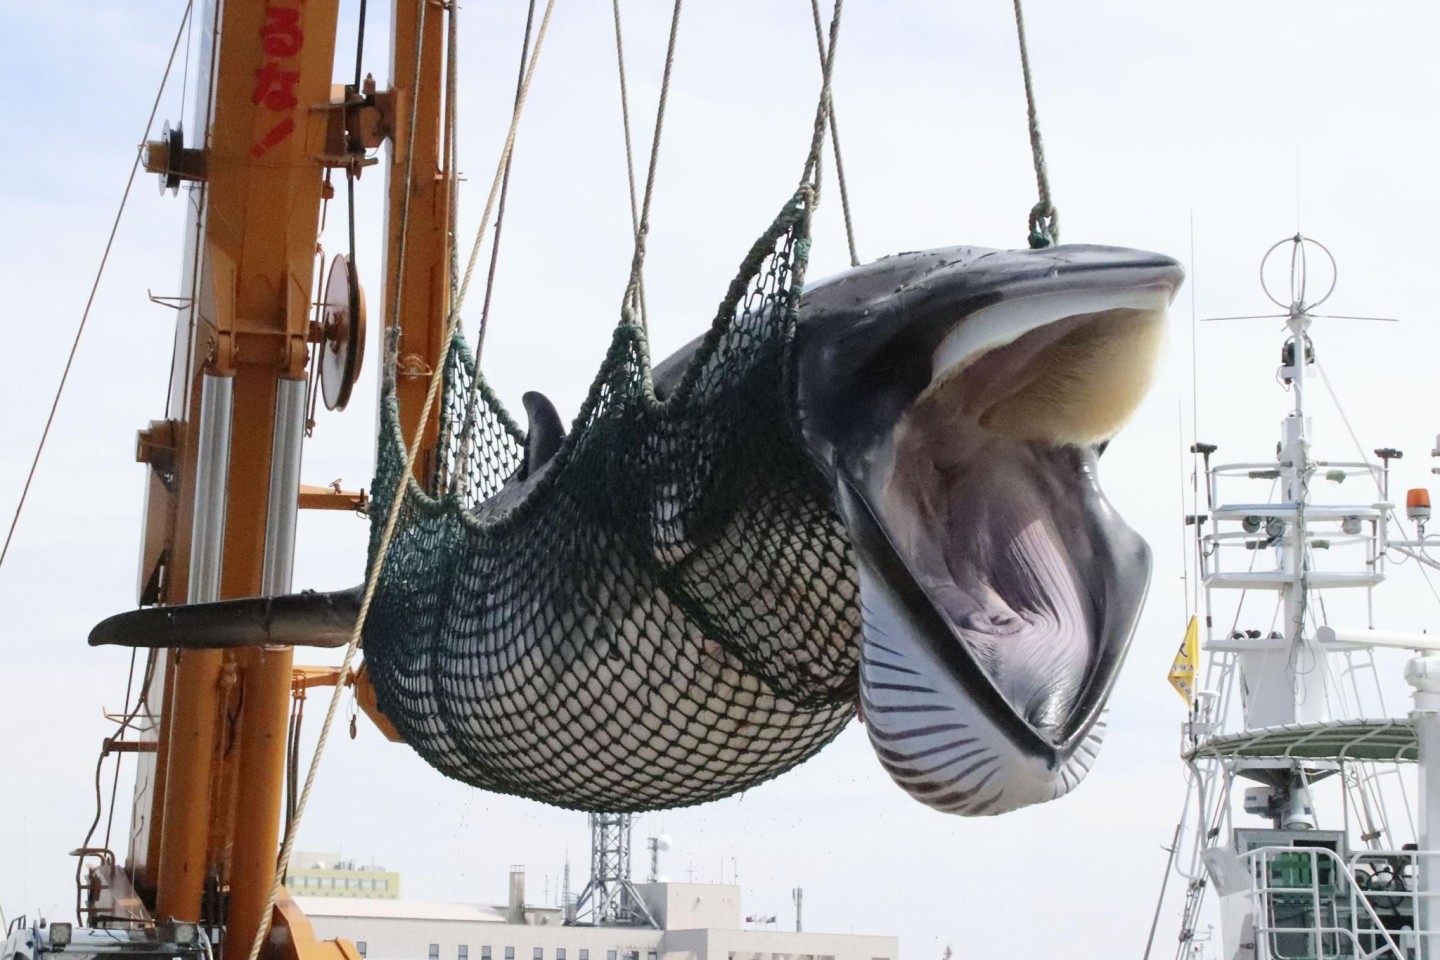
(698, 922)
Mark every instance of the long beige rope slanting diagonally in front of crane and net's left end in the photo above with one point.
(372, 581)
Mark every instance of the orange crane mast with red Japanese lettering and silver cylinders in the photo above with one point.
(225, 463)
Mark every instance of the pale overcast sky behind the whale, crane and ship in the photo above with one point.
(1245, 119)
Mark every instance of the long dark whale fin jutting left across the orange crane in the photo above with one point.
(296, 620)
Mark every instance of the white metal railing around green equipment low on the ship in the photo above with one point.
(1310, 905)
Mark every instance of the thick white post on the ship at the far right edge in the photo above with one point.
(1423, 674)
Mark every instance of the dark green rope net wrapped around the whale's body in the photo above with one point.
(666, 615)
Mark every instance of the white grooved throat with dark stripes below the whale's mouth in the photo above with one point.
(935, 742)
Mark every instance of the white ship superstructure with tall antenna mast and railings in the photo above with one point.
(1314, 810)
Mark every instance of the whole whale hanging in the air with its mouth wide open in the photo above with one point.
(954, 405)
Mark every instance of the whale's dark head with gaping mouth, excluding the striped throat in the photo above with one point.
(957, 399)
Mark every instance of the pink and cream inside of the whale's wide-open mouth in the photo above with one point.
(993, 504)
